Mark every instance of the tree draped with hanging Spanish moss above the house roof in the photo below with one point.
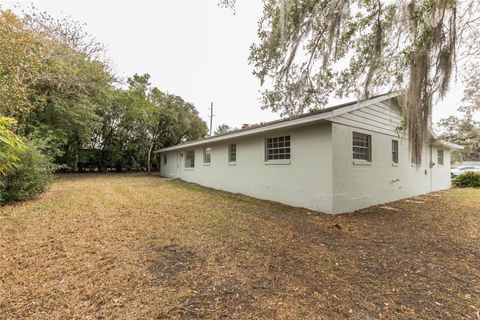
(309, 49)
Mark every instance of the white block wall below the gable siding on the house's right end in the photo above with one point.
(358, 186)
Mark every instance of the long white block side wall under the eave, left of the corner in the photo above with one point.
(305, 182)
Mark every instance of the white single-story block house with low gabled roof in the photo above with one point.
(335, 160)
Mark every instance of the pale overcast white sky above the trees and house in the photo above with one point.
(193, 49)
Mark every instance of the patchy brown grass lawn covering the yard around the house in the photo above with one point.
(139, 247)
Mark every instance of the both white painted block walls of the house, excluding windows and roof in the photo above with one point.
(322, 174)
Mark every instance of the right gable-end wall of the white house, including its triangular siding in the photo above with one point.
(358, 186)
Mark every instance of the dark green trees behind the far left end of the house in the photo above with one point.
(140, 120)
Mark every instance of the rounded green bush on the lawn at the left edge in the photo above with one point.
(31, 175)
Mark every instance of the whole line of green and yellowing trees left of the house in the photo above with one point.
(64, 97)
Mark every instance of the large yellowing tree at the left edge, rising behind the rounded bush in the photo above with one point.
(50, 82)
